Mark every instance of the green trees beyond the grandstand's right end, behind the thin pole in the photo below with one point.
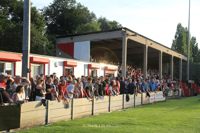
(180, 44)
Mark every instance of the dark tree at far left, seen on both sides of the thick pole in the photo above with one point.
(11, 28)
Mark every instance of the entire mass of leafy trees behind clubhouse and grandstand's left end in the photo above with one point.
(62, 17)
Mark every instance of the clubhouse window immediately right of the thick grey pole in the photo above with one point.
(37, 69)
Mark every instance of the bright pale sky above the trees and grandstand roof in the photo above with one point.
(155, 19)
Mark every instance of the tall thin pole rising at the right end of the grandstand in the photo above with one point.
(188, 43)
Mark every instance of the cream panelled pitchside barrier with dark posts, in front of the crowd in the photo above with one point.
(34, 113)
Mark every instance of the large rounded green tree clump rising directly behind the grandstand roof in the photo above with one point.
(66, 17)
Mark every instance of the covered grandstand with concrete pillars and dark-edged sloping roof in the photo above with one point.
(123, 47)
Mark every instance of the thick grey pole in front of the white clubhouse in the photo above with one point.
(26, 38)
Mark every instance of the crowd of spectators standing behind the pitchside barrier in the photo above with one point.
(50, 87)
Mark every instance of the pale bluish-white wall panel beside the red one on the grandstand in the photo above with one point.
(82, 50)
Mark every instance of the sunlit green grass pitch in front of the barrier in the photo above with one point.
(173, 116)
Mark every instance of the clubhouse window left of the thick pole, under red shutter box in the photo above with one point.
(7, 67)
